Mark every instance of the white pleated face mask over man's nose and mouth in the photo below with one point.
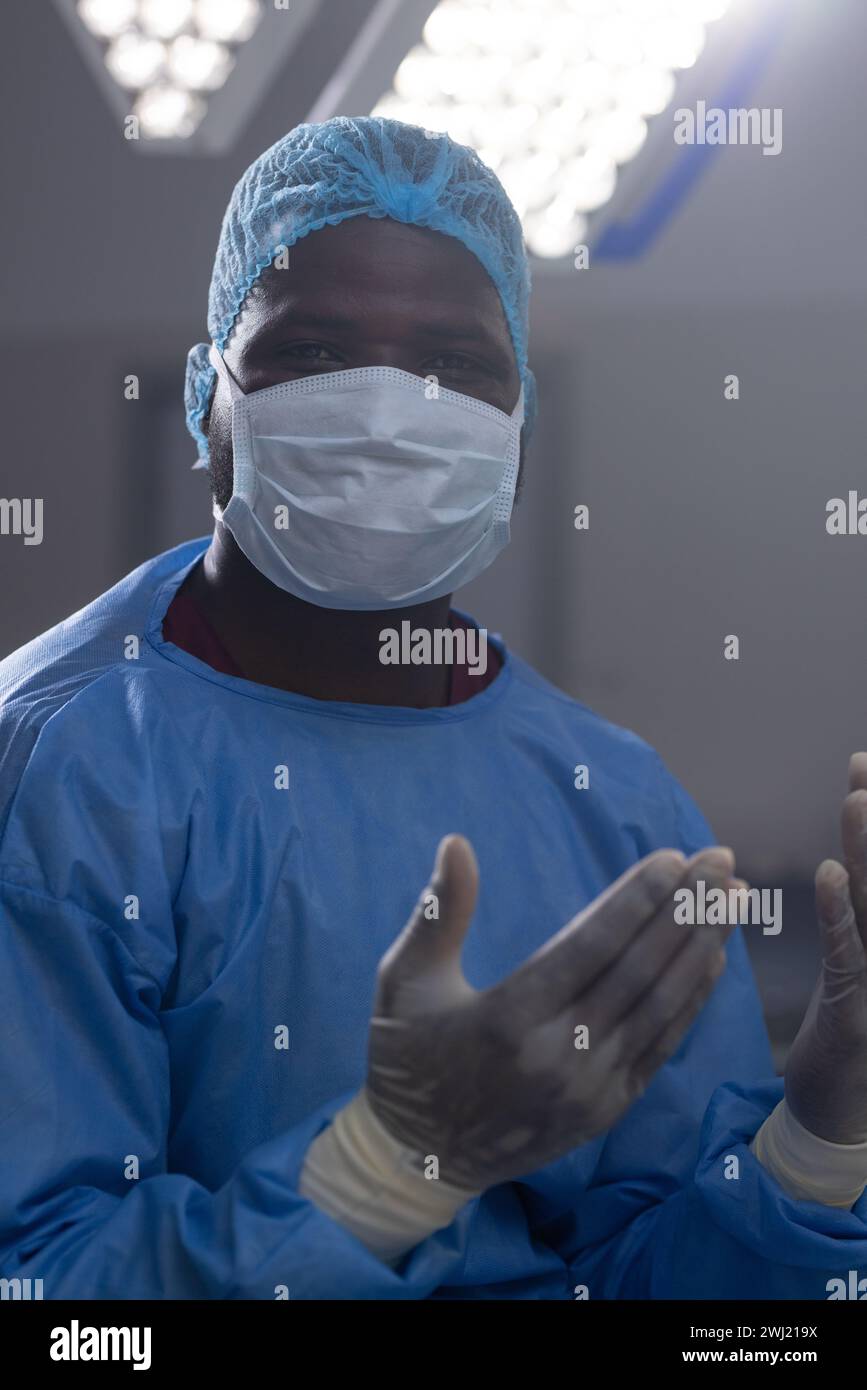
(356, 491)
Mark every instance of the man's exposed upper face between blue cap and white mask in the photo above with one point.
(369, 293)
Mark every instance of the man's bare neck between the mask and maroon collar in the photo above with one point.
(327, 654)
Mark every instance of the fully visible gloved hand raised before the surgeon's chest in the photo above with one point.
(491, 1082)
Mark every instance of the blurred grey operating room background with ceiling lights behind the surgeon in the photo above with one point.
(708, 516)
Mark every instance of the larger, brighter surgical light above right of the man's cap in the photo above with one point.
(583, 79)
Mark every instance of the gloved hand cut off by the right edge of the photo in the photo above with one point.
(826, 1077)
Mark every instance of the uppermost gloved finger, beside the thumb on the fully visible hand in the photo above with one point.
(591, 942)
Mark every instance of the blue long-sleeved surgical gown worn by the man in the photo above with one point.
(174, 908)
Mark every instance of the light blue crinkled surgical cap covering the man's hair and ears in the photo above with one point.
(322, 174)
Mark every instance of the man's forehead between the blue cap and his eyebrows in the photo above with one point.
(376, 268)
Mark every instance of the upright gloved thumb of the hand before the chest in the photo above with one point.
(433, 939)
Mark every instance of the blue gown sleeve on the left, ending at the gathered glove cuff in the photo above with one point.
(87, 1203)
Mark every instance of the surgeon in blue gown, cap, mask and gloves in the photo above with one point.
(319, 976)
